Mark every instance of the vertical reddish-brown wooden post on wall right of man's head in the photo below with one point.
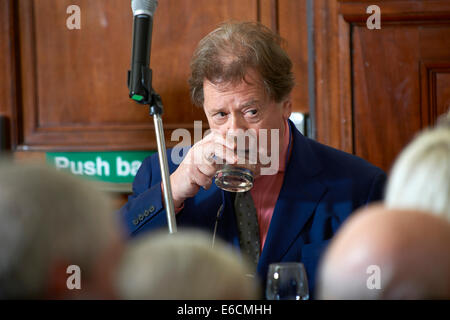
(332, 76)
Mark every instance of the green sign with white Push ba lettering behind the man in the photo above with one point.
(110, 166)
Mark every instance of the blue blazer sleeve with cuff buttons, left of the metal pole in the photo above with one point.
(145, 206)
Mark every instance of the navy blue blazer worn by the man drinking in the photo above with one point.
(322, 186)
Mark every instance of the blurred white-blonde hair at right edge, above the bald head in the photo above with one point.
(420, 177)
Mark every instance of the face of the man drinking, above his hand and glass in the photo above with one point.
(244, 106)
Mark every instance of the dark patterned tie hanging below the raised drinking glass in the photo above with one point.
(248, 226)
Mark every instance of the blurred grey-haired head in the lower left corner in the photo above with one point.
(54, 227)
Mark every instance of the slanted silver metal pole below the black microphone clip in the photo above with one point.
(163, 163)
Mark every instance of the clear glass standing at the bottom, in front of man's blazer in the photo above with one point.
(287, 281)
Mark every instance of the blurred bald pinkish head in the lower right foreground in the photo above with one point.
(388, 254)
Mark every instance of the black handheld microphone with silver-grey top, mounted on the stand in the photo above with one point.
(140, 75)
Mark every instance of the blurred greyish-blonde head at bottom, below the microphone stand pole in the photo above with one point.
(184, 266)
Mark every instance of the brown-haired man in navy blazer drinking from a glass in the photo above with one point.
(242, 79)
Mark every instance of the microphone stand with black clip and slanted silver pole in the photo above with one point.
(154, 101)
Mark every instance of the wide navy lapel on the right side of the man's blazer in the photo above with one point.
(299, 195)
